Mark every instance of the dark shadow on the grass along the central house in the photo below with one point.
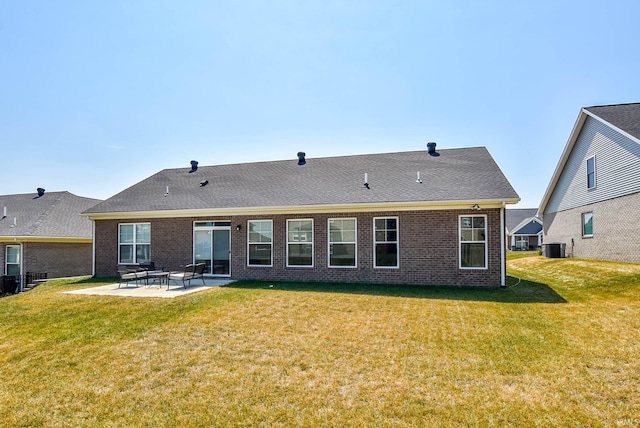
(515, 292)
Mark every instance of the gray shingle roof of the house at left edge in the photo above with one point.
(53, 215)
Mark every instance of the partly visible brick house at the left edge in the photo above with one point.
(44, 233)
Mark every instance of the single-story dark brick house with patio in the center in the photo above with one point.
(421, 217)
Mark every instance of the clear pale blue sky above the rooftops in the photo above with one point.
(98, 95)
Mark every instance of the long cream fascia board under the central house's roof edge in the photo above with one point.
(306, 209)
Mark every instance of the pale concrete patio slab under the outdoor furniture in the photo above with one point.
(153, 290)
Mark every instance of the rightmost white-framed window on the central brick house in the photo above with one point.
(473, 242)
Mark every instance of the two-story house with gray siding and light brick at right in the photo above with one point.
(591, 205)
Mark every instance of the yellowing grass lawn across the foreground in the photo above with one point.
(558, 347)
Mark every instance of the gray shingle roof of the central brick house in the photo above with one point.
(455, 175)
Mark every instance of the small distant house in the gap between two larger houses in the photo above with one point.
(524, 229)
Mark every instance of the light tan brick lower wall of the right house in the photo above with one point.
(615, 230)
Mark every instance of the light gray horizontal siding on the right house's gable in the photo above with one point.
(617, 168)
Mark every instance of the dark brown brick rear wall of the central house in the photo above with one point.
(428, 242)
